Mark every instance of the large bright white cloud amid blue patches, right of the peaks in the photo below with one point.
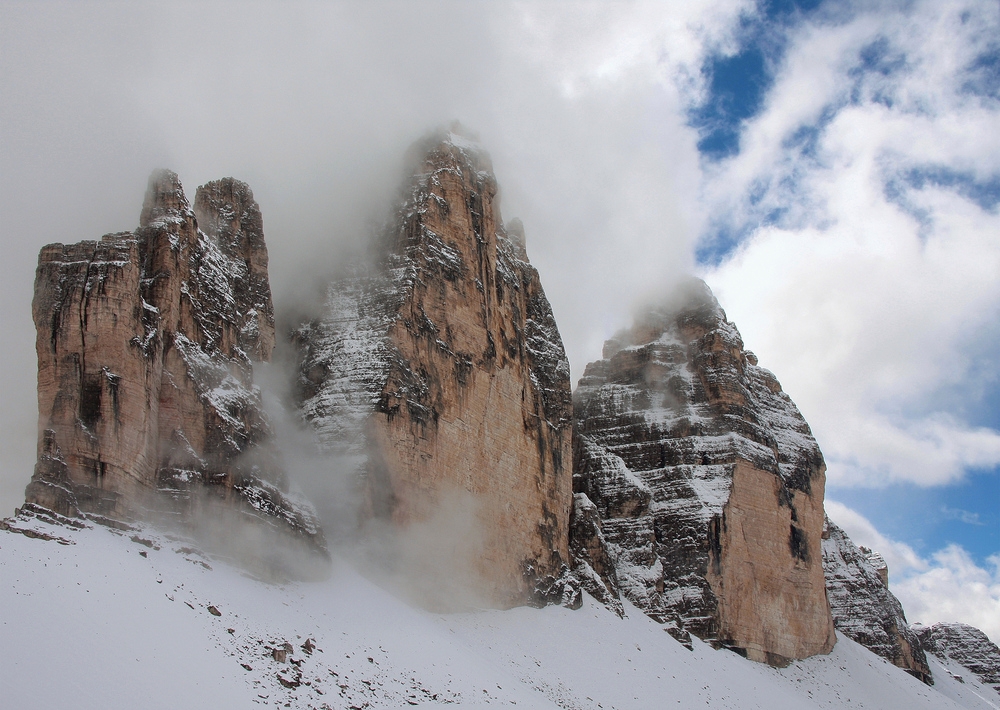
(873, 310)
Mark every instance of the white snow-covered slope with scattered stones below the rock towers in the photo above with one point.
(140, 620)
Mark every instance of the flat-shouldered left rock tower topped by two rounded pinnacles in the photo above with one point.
(145, 345)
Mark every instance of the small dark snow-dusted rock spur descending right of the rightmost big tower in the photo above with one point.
(863, 607)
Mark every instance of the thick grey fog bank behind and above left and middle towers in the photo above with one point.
(314, 106)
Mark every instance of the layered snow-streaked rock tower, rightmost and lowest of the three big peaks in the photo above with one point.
(708, 482)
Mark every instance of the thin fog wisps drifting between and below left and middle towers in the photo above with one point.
(434, 562)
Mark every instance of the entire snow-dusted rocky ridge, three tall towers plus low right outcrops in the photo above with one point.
(437, 372)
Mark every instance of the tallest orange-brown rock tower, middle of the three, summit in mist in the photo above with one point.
(441, 370)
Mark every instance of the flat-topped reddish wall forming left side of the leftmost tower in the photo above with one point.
(93, 381)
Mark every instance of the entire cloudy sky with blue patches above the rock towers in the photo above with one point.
(831, 168)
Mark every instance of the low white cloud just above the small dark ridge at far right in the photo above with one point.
(949, 586)
